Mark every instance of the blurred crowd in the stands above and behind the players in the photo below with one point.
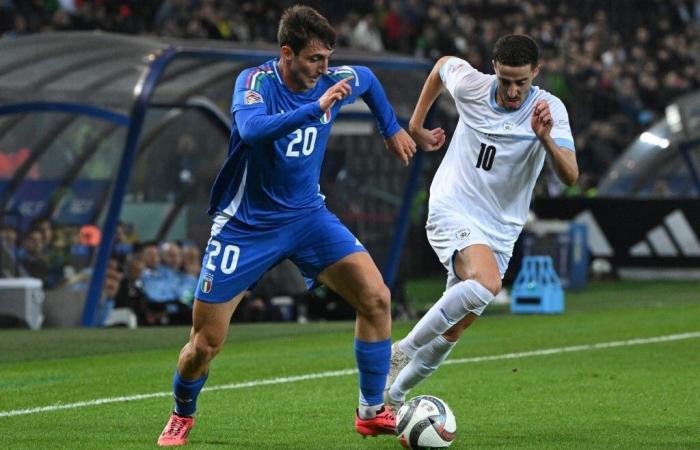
(615, 65)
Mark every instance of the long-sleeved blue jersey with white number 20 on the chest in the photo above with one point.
(278, 141)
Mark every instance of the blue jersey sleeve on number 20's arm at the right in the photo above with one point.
(366, 85)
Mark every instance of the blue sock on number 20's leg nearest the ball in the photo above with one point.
(373, 359)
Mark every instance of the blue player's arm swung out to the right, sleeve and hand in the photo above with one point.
(396, 139)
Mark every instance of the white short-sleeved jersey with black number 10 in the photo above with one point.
(494, 158)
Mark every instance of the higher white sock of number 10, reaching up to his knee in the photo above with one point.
(467, 296)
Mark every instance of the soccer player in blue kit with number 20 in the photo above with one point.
(266, 206)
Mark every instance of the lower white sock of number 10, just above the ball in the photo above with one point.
(423, 364)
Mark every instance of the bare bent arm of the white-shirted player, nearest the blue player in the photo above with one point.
(426, 139)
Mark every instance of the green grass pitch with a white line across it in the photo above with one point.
(634, 395)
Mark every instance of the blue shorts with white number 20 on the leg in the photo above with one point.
(238, 254)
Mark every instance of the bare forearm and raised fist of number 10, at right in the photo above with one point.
(563, 160)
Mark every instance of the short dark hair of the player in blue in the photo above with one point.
(300, 25)
